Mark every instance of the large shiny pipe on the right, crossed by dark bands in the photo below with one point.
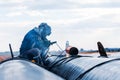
(85, 68)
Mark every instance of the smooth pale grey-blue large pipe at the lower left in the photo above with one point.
(24, 70)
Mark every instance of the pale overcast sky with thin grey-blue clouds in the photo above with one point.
(82, 22)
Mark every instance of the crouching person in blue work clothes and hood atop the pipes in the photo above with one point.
(35, 44)
